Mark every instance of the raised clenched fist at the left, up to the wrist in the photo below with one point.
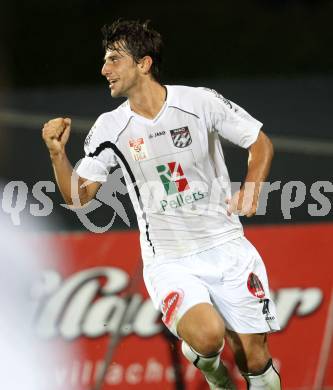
(56, 134)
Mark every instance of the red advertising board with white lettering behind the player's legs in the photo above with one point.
(94, 290)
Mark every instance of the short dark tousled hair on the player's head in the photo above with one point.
(137, 39)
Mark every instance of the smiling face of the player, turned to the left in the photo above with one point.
(121, 71)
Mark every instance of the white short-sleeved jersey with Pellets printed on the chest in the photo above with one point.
(174, 168)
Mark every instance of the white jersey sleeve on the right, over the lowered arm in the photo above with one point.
(231, 121)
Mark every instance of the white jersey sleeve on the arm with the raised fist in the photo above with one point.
(99, 156)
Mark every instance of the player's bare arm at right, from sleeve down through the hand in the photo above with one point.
(245, 201)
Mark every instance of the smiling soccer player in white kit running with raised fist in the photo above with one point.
(207, 279)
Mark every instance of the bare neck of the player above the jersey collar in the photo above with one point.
(149, 99)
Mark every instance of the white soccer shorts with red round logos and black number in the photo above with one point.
(232, 277)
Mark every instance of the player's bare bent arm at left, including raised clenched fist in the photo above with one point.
(74, 189)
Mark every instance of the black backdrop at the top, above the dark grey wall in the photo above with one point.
(58, 42)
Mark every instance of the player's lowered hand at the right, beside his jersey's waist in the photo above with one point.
(244, 201)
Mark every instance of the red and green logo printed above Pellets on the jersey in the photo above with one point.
(173, 178)
